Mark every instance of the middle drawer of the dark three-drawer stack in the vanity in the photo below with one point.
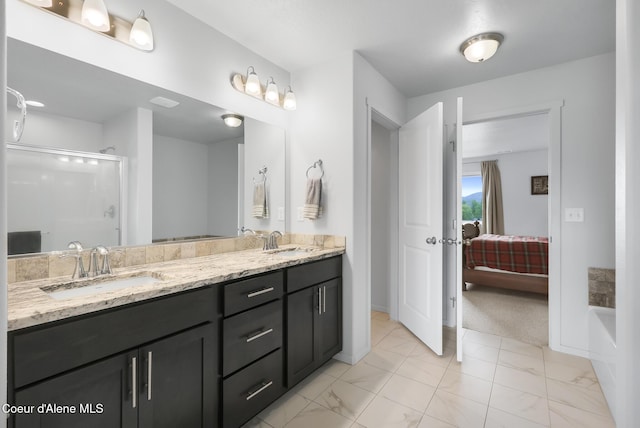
(250, 335)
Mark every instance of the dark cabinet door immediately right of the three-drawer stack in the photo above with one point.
(302, 344)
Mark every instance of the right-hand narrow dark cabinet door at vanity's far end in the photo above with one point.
(330, 321)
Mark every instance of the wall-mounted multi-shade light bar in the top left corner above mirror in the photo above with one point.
(93, 14)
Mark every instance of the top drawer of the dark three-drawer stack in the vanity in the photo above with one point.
(242, 295)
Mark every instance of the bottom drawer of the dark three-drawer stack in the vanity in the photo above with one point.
(249, 391)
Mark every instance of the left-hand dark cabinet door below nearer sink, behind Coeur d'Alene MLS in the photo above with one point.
(101, 394)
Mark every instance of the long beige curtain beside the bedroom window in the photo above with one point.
(492, 212)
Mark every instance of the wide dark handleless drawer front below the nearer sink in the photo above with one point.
(50, 349)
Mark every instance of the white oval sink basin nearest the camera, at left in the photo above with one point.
(99, 285)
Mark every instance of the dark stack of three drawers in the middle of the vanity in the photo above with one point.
(252, 340)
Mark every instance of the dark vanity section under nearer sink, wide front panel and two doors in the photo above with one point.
(152, 364)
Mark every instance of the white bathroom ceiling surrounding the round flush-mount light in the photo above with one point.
(414, 43)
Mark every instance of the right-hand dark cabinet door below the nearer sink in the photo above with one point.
(178, 385)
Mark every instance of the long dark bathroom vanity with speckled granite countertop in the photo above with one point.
(211, 343)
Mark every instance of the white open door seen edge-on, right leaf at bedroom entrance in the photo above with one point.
(458, 222)
